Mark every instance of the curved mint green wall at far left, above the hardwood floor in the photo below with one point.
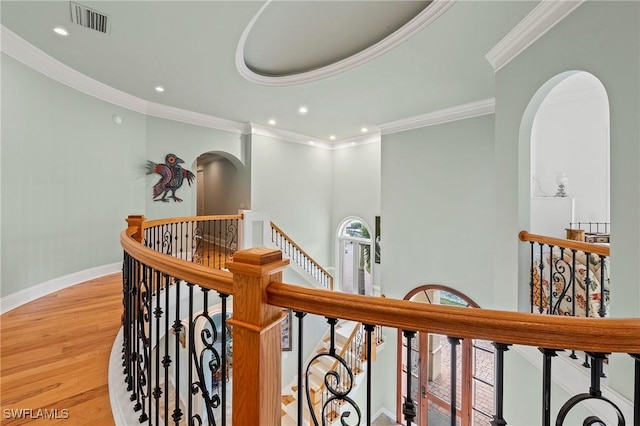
(69, 178)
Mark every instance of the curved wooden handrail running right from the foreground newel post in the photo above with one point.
(587, 334)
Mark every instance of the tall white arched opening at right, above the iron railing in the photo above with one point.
(569, 160)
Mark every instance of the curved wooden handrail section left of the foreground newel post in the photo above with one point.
(188, 271)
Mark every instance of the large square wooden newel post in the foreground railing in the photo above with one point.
(257, 333)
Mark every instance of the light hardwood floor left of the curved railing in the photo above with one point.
(54, 354)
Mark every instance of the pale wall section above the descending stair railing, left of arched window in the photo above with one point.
(292, 182)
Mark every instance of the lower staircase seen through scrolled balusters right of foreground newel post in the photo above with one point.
(350, 346)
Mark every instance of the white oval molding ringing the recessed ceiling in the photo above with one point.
(423, 19)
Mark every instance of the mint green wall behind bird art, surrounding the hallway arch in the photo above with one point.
(187, 142)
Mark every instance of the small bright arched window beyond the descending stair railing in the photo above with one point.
(355, 250)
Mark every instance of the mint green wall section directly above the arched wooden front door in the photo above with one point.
(437, 208)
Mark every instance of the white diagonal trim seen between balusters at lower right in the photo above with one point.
(574, 379)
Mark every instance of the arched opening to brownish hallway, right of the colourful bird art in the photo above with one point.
(222, 184)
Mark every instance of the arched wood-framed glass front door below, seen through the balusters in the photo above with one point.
(430, 369)
